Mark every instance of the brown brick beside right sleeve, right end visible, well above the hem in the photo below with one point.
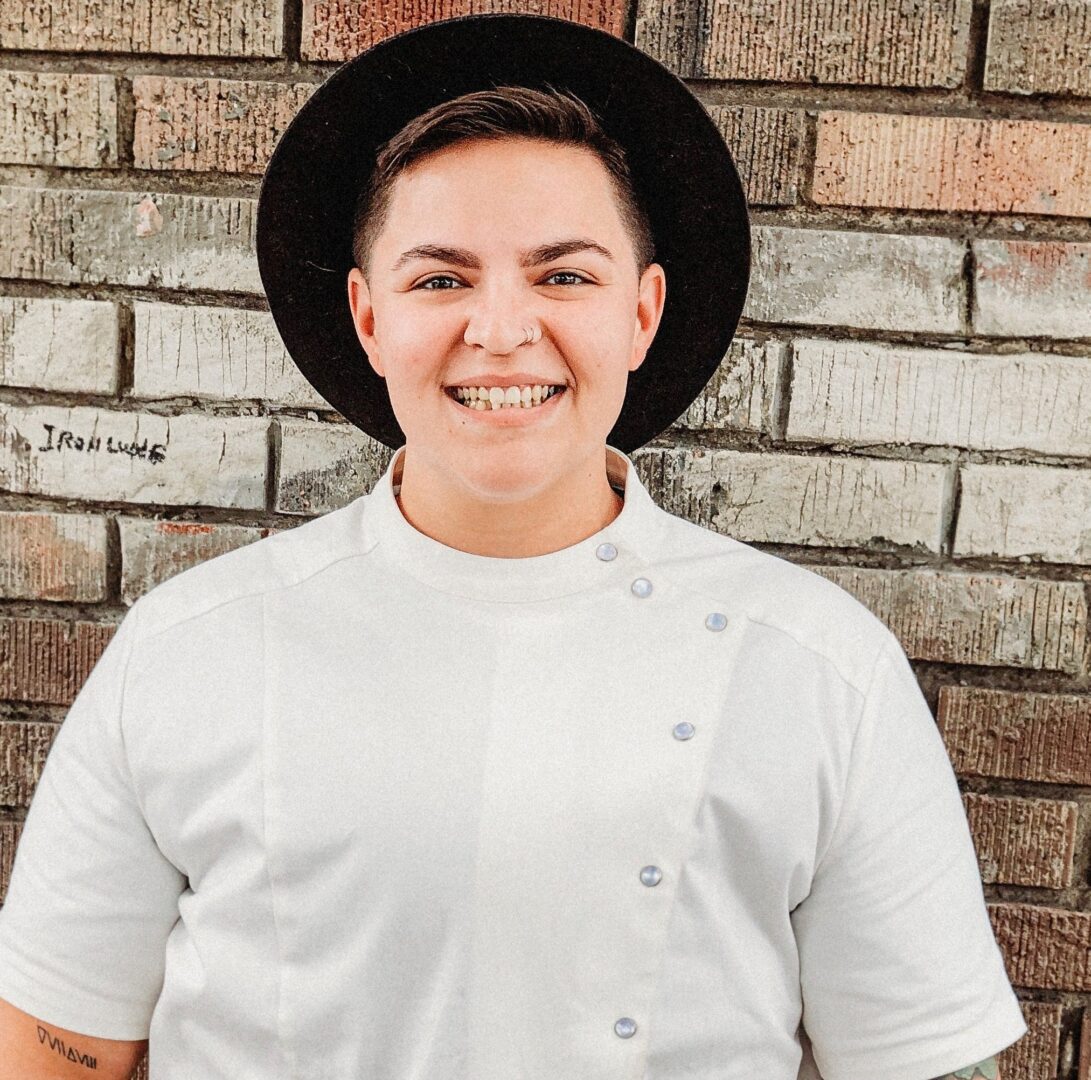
(1024, 842)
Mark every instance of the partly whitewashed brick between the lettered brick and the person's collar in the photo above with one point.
(323, 466)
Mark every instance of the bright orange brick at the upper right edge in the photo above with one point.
(953, 164)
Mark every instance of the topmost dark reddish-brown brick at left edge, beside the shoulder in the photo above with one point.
(49, 659)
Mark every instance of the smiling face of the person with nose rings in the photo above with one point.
(462, 269)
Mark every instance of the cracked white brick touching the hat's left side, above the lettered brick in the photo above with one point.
(215, 353)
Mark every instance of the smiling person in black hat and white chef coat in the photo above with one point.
(502, 771)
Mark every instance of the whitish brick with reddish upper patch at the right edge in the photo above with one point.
(1029, 289)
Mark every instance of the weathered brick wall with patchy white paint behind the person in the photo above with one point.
(907, 409)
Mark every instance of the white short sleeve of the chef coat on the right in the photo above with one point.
(902, 977)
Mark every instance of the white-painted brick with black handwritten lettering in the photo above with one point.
(140, 458)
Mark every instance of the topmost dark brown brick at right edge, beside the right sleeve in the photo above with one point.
(1017, 736)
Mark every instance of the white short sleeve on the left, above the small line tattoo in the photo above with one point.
(92, 898)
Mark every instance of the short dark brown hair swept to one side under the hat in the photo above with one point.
(556, 116)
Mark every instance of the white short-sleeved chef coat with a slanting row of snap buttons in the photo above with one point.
(352, 803)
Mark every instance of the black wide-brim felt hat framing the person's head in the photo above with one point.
(681, 167)
